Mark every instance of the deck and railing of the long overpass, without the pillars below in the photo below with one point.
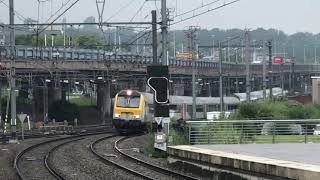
(86, 64)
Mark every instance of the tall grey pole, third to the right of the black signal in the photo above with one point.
(248, 61)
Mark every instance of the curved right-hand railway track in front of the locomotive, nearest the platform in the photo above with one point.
(132, 164)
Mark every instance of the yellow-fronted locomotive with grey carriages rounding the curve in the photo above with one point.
(133, 110)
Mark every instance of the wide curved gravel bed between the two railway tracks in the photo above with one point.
(82, 164)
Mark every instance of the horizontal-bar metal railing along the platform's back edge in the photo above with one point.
(254, 131)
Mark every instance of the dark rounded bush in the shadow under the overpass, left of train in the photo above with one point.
(63, 110)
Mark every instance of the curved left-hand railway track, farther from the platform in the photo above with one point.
(36, 158)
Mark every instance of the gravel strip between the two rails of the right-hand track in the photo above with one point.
(106, 147)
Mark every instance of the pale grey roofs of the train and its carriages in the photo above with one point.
(177, 100)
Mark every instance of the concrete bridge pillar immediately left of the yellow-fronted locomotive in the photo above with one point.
(104, 102)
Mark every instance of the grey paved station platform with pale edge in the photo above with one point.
(294, 161)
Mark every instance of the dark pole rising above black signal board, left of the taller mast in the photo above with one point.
(154, 37)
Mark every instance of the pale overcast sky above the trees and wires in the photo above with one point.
(288, 15)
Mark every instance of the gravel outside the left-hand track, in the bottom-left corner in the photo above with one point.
(7, 154)
